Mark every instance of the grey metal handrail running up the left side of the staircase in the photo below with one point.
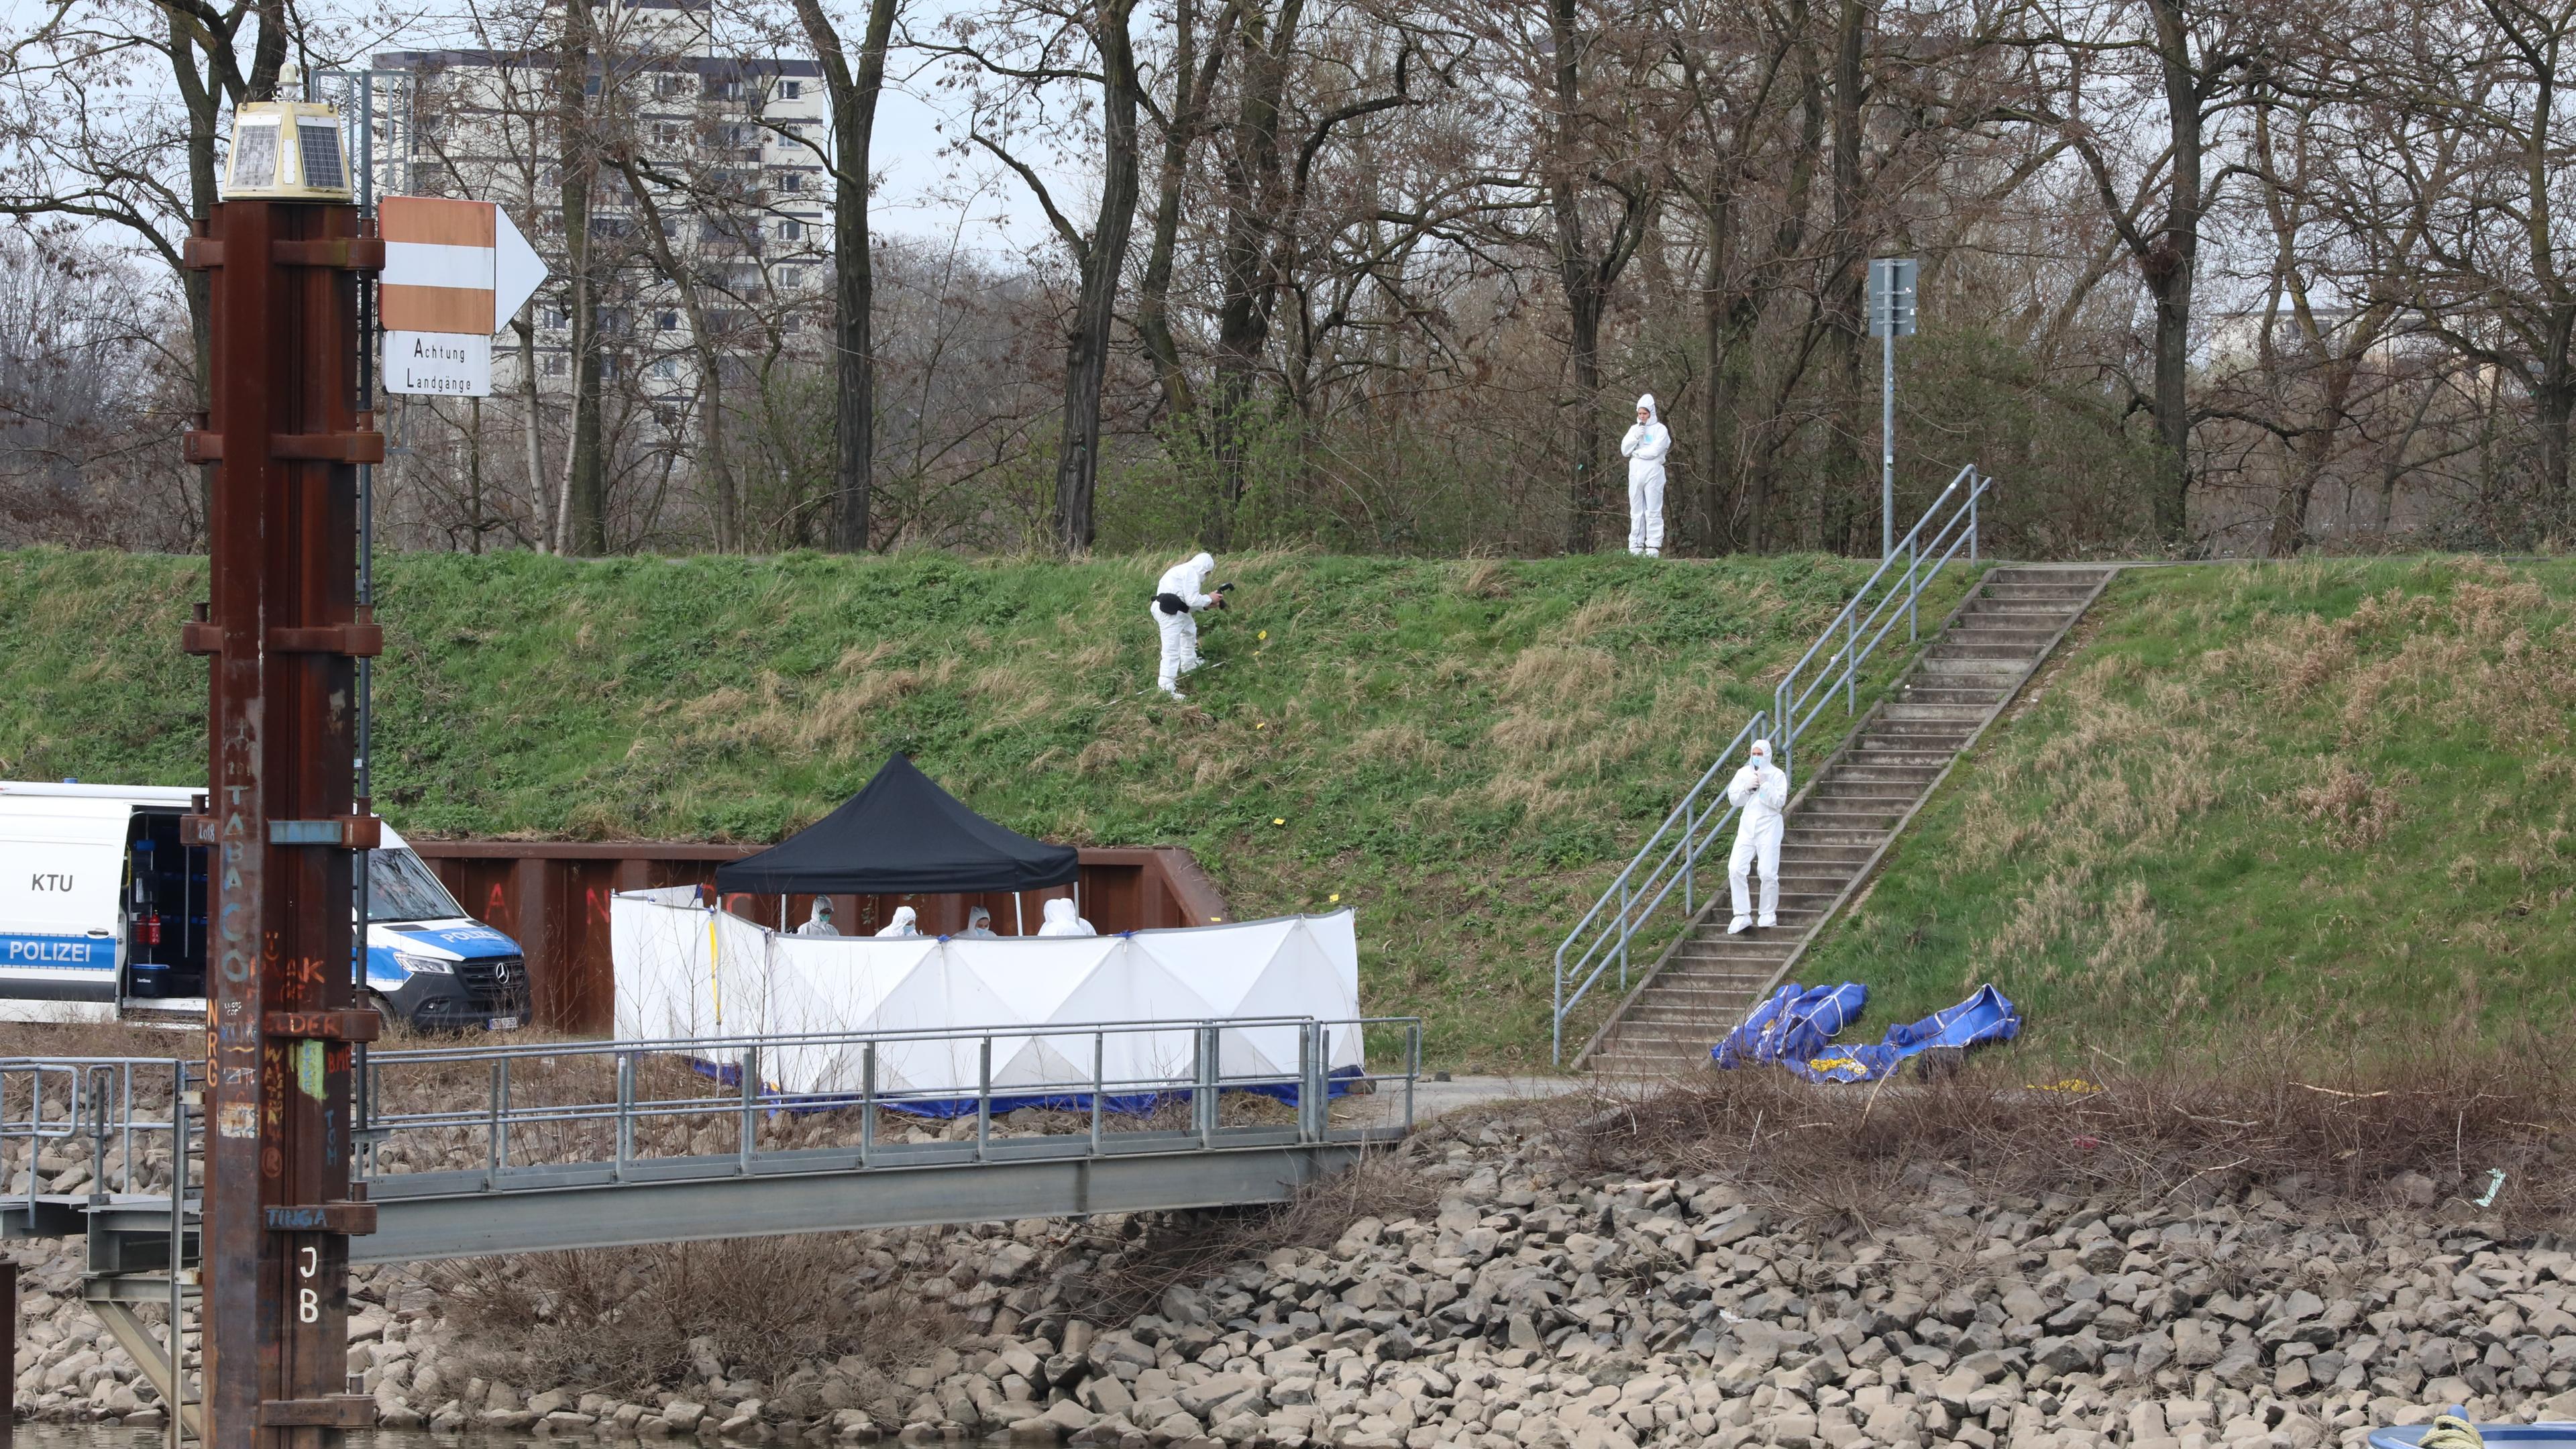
(1606, 935)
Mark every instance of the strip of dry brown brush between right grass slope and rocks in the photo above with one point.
(2142, 1141)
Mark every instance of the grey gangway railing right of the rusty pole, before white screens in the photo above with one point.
(527, 1115)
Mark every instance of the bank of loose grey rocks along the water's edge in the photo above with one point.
(1542, 1303)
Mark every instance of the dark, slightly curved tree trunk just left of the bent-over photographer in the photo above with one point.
(1088, 339)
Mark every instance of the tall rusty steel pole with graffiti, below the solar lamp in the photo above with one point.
(282, 628)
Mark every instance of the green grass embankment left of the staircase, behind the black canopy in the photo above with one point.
(1464, 752)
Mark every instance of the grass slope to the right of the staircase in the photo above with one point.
(2322, 808)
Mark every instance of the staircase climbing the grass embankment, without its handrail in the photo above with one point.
(1848, 816)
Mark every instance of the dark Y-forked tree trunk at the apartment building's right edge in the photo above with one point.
(854, 277)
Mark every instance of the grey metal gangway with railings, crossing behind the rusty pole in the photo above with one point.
(542, 1146)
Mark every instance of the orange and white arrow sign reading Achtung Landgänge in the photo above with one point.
(455, 272)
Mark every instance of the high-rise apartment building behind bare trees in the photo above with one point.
(679, 130)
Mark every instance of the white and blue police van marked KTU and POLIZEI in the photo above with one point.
(104, 919)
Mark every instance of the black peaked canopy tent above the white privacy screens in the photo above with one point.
(903, 837)
